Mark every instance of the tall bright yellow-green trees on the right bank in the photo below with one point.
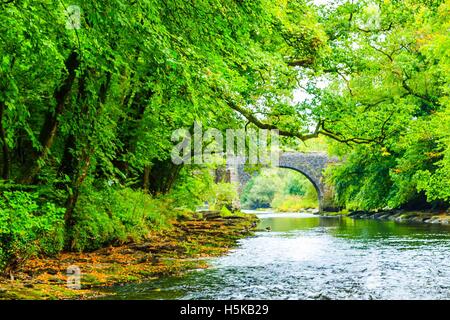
(395, 75)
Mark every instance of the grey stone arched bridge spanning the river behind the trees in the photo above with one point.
(311, 165)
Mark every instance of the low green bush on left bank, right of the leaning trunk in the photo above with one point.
(117, 216)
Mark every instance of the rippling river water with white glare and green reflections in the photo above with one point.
(310, 257)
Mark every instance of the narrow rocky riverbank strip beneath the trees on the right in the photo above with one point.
(396, 215)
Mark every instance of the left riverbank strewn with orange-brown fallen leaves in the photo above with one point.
(168, 252)
